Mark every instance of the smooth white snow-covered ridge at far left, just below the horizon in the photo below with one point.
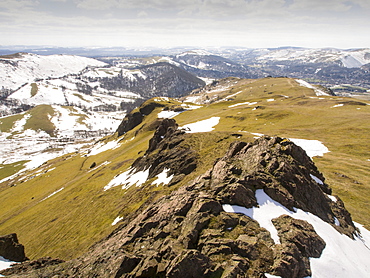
(20, 68)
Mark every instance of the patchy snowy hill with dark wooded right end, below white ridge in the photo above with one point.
(108, 88)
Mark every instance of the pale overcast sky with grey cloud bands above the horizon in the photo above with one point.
(246, 23)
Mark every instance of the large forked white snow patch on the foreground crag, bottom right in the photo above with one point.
(342, 256)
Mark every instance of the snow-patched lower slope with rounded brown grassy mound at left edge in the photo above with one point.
(62, 130)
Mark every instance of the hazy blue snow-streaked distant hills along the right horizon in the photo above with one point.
(343, 71)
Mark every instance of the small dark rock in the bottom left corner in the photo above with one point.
(11, 249)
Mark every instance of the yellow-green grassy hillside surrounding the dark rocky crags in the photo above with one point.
(80, 212)
